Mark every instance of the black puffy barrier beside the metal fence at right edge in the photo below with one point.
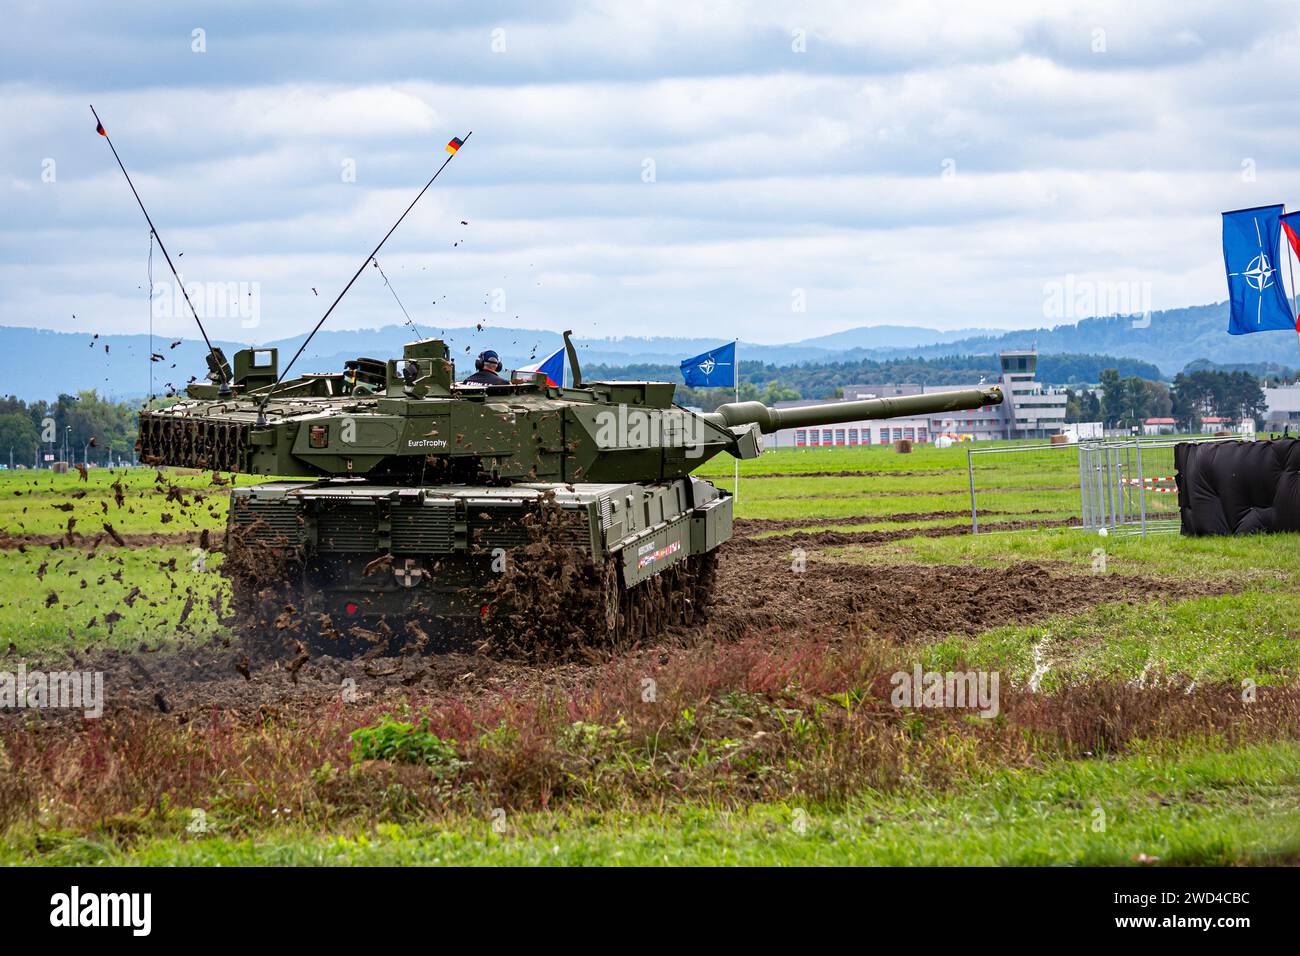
(1238, 488)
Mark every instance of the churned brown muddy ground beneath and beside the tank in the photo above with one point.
(760, 596)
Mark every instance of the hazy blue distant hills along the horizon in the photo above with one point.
(42, 364)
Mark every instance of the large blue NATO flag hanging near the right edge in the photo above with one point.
(1256, 299)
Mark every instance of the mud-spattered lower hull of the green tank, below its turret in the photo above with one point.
(350, 553)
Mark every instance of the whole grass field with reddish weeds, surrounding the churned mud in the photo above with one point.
(1126, 737)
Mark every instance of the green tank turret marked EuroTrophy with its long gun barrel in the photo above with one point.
(408, 421)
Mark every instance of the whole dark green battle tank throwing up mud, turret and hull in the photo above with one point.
(411, 512)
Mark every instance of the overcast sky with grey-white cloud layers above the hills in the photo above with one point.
(662, 168)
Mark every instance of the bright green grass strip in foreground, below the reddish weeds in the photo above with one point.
(1195, 808)
